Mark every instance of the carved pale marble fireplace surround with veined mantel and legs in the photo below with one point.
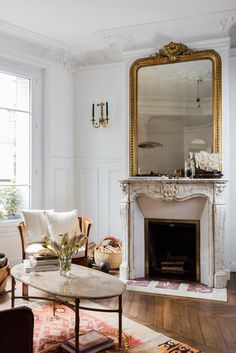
(185, 199)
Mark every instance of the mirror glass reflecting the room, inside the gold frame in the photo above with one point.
(169, 117)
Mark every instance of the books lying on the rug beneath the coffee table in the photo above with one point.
(89, 342)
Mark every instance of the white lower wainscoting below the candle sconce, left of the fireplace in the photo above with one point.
(98, 195)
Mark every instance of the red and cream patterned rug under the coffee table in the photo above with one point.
(49, 331)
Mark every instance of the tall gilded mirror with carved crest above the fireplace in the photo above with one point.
(175, 108)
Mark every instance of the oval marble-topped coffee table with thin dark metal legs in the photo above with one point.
(83, 283)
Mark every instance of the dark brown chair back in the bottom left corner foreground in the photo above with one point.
(16, 328)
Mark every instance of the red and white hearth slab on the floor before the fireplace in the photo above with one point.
(189, 290)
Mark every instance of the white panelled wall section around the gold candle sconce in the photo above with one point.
(100, 153)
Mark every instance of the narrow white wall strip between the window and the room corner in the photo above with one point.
(58, 143)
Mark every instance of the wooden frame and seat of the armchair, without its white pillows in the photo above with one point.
(80, 258)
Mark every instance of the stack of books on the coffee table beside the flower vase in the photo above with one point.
(43, 263)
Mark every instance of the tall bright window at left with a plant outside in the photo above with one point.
(17, 125)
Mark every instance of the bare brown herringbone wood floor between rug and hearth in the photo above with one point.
(207, 325)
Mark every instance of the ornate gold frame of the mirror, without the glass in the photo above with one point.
(176, 53)
